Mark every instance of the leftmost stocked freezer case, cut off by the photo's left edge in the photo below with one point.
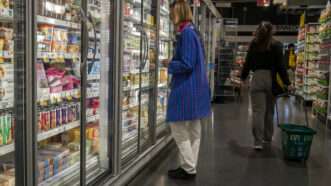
(10, 64)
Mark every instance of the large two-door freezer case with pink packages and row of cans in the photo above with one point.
(69, 84)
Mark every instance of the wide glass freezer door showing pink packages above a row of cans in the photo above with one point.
(58, 80)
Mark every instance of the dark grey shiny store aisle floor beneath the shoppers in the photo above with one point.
(227, 159)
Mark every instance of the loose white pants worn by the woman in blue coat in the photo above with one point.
(187, 135)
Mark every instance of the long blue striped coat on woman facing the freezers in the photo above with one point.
(189, 97)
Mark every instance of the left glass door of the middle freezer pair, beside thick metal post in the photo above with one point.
(131, 79)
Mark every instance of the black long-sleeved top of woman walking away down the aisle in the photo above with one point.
(266, 60)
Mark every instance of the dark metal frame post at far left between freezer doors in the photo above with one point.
(23, 27)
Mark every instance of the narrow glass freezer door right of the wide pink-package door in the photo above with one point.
(98, 88)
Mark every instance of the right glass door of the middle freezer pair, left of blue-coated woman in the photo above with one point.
(148, 73)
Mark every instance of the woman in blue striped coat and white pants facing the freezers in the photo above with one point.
(189, 99)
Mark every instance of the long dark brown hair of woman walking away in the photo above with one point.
(263, 36)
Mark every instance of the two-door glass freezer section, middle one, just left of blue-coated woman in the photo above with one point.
(138, 76)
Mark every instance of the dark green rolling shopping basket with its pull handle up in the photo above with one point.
(296, 138)
